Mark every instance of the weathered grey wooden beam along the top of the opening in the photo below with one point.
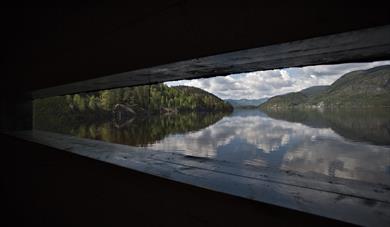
(356, 46)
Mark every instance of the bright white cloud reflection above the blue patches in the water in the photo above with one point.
(262, 132)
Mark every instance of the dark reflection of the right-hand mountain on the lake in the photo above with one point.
(364, 125)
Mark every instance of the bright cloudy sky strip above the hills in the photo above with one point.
(261, 84)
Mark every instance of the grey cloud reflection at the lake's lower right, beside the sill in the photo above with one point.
(340, 159)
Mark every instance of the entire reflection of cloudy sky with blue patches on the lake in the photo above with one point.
(260, 140)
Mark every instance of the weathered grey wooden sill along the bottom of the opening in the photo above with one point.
(282, 188)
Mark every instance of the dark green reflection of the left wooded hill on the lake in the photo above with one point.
(140, 131)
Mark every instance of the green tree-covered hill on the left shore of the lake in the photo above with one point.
(140, 100)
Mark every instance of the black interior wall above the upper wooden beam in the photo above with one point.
(52, 46)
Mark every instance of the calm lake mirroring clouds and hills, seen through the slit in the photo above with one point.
(340, 144)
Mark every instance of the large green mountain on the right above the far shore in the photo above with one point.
(357, 89)
